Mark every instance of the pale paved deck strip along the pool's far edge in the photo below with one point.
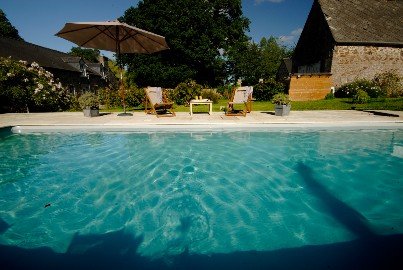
(332, 118)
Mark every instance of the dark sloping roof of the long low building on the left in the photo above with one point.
(21, 50)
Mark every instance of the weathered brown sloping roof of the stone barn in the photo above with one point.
(365, 21)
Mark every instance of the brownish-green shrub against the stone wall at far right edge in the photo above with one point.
(390, 83)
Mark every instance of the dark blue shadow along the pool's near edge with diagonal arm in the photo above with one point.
(118, 250)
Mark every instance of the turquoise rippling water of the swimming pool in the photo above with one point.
(162, 194)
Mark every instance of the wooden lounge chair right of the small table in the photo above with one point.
(240, 95)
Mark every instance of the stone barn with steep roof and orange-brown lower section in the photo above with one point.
(345, 40)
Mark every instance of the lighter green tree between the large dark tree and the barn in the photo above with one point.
(251, 61)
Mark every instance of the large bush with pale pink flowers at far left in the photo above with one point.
(29, 88)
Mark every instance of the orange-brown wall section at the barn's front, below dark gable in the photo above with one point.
(309, 86)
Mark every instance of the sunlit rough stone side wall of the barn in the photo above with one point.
(358, 62)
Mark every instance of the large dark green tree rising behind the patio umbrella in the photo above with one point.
(197, 31)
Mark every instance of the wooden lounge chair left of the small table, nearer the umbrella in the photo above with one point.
(159, 105)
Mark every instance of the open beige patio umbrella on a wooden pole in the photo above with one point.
(113, 36)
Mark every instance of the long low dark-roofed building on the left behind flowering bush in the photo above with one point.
(74, 73)
